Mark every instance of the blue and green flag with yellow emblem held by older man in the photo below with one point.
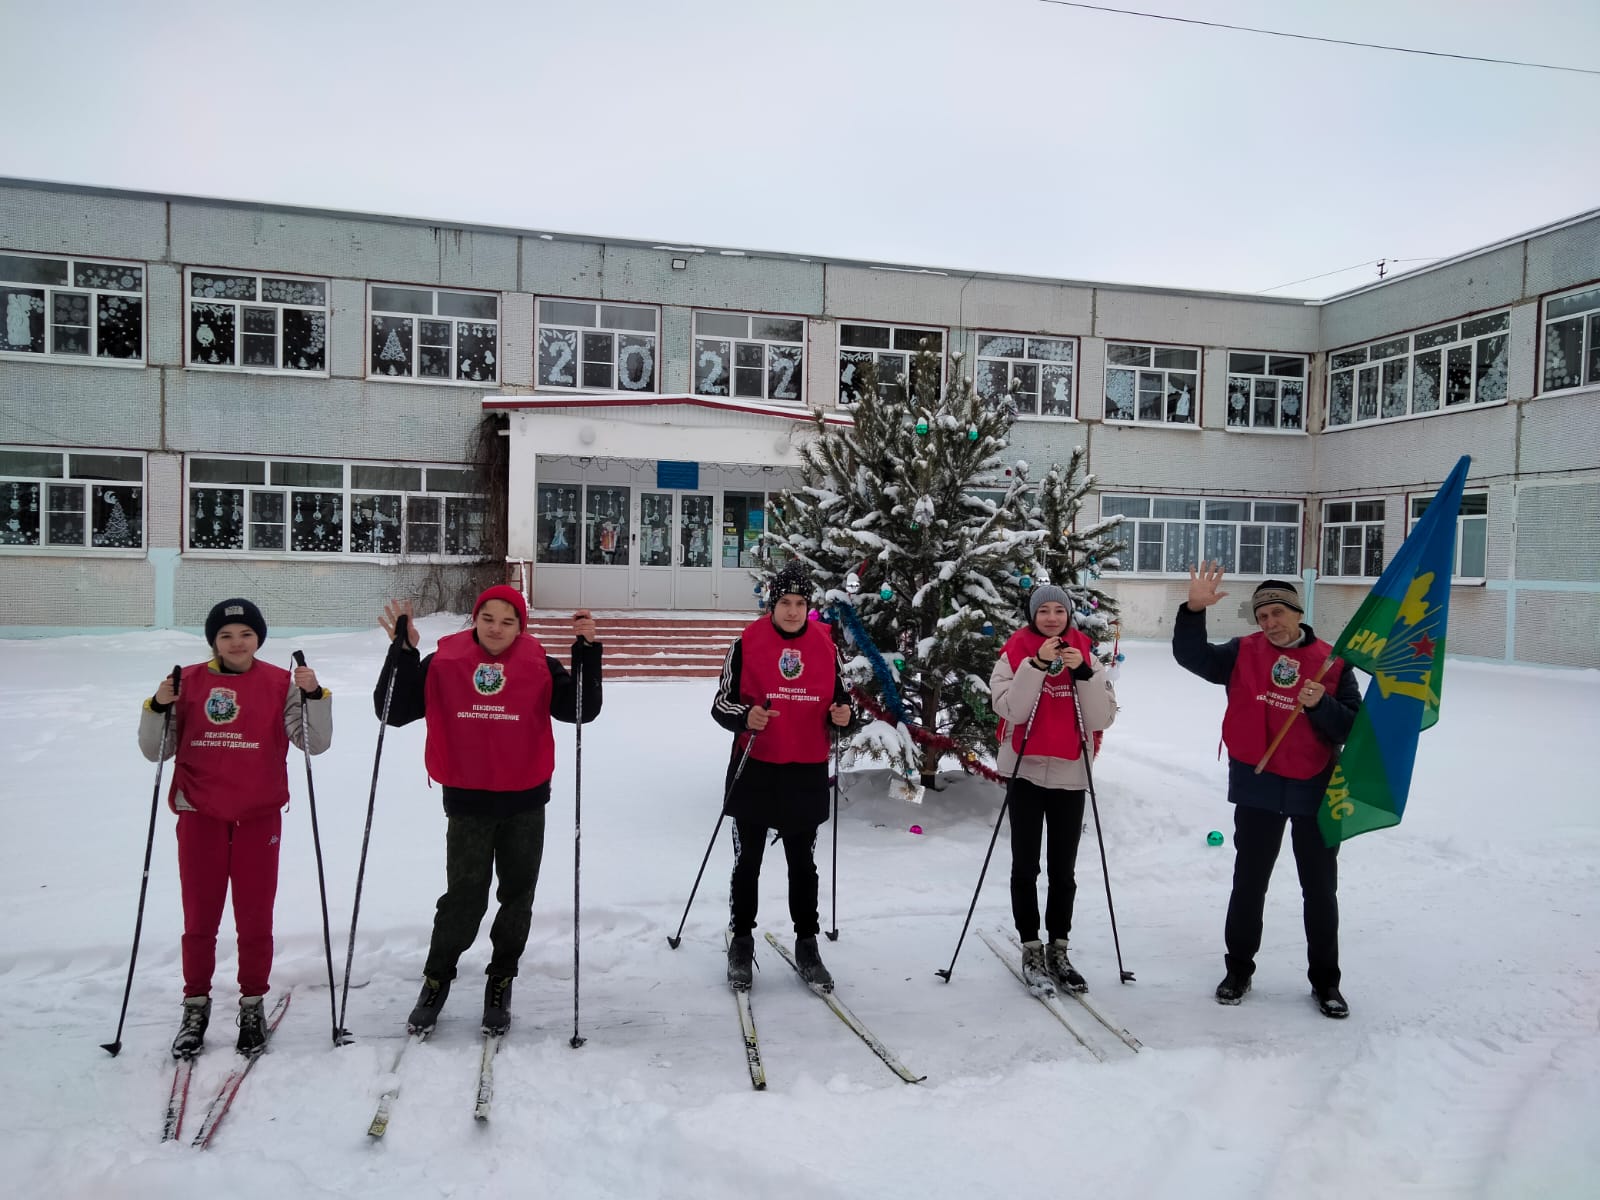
(1398, 636)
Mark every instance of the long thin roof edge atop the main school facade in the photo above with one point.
(649, 244)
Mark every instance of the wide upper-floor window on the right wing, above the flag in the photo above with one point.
(1447, 367)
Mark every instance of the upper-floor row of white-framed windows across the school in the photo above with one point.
(257, 322)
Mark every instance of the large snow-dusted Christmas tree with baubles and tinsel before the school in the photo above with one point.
(938, 540)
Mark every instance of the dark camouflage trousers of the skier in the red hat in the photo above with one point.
(478, 849)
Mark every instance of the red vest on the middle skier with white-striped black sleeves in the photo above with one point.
(799, 676)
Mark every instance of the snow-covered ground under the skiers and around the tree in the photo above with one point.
(1470, 1066)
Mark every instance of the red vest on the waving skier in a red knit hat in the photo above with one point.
(489, 718)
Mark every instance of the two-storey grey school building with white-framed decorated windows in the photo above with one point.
(204, 399)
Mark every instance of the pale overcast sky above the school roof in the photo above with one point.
(994, 135)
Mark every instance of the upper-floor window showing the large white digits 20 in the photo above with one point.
(586, 346)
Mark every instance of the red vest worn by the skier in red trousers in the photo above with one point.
(233, 748)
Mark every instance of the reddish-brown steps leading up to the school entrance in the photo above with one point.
(649, 646)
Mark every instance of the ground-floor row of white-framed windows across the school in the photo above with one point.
(71, 500)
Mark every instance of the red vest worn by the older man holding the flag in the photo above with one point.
(1260, 700)
